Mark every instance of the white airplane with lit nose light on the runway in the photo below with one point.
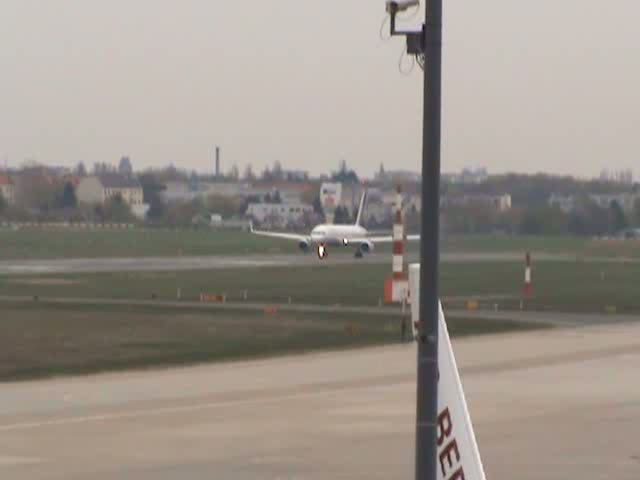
(325, 235)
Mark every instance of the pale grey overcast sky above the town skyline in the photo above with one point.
(547, 85)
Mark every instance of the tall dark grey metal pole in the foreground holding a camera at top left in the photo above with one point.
(427, 381)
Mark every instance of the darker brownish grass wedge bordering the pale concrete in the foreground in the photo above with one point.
(46, 340)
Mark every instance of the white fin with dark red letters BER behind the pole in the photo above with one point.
(458, 455)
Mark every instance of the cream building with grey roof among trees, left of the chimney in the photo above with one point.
(101, 187)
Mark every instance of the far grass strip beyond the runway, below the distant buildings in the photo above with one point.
(41, 243)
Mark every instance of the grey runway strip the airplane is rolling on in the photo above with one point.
(89, 265)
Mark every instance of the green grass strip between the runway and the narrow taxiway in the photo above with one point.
(577, 286)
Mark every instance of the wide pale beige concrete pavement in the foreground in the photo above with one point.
(546, 405)
